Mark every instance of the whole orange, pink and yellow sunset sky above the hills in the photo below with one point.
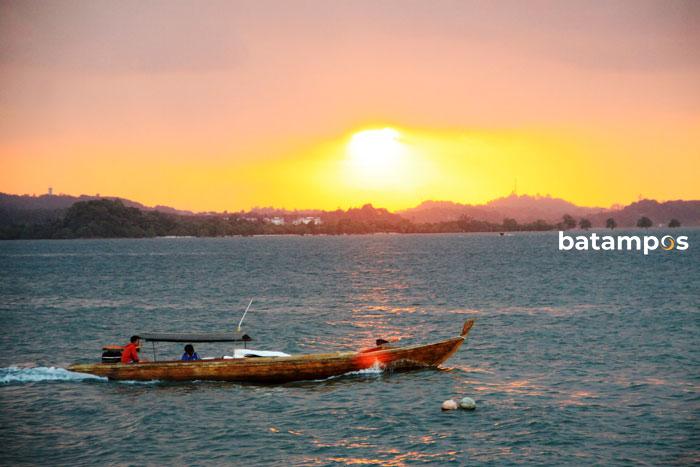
(324, 104)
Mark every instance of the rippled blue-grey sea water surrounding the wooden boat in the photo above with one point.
(576, 358)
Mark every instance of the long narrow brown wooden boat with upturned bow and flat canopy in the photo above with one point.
(279, 369)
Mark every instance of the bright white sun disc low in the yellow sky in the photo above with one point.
(376, 152)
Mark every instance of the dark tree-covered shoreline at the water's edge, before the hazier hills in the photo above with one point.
(107, 218)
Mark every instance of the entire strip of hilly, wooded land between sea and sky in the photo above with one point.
(64, 216)
